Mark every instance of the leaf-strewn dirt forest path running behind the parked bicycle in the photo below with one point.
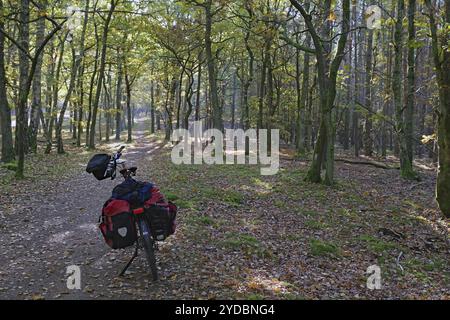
(49, 232)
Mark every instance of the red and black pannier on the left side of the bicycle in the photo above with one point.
(117, 224)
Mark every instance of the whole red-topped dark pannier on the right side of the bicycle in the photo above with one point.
(161, 215)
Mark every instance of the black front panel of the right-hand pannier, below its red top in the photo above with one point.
(160, 222)
